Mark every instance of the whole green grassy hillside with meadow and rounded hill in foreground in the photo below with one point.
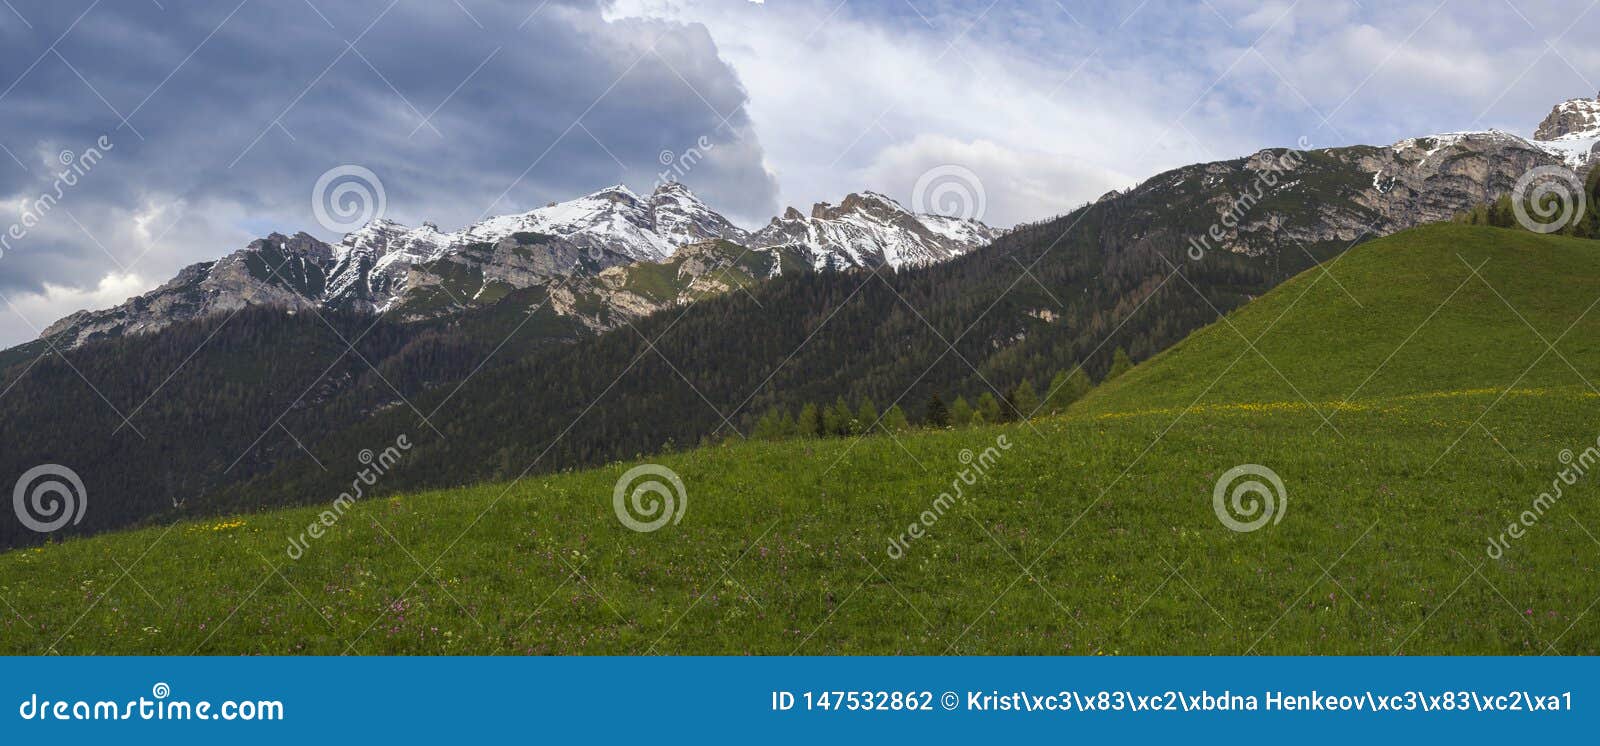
(1410, 409)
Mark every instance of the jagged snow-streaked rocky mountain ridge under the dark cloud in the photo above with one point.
(585, 251)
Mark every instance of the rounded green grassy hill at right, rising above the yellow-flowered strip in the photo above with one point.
(1478, 342)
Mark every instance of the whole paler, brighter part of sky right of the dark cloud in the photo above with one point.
(846, 97)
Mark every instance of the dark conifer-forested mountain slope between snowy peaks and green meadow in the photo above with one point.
(650, 356)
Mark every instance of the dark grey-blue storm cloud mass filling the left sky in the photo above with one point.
(223, 116)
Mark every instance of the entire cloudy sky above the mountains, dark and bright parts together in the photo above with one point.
(222, 116)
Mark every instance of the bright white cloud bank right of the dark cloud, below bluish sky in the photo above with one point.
(847, 103)
